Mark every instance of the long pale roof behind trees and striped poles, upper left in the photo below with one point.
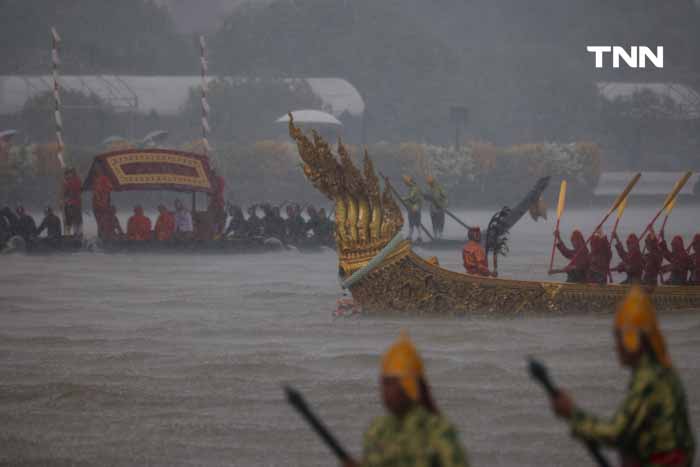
(166, 95)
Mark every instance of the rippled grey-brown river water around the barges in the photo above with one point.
(179, 359)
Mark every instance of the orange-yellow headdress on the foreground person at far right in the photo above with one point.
(636, 317)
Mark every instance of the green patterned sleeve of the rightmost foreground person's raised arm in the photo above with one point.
(628, 419)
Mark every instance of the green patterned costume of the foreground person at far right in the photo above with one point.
(651, 424)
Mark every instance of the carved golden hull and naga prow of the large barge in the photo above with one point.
(404, 282)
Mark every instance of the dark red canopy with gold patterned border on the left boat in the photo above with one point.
(152, 169)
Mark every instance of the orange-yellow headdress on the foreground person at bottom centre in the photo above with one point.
(403, 362)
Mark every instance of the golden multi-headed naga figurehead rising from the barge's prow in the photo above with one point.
(366, 219)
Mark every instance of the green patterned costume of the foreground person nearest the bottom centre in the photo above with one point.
(420, 439)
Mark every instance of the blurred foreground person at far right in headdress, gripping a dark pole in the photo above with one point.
(652, 425)
